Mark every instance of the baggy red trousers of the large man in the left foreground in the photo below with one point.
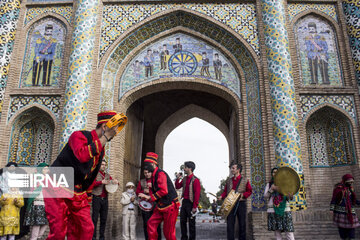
(69, 217)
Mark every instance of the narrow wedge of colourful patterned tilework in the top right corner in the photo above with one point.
(352, 14)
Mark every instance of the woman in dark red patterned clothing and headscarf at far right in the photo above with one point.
(342, 205)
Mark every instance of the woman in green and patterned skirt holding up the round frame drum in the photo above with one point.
(279, 214)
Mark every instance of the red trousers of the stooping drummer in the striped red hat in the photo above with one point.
(169, 216)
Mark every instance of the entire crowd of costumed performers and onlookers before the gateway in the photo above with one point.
(155, 195)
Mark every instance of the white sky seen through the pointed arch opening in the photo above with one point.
(198, 141)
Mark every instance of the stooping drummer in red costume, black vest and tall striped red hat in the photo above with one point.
(165, 196)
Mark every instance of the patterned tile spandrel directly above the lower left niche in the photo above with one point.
(50, 102)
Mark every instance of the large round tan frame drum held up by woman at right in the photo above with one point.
(287, 180)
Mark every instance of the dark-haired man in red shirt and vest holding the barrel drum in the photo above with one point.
(241, 185)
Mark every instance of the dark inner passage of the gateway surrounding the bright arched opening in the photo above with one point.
(155, 116)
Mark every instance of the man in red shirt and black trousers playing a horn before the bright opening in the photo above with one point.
(191, 194)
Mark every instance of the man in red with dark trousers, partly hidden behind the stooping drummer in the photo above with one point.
(144, 186)
